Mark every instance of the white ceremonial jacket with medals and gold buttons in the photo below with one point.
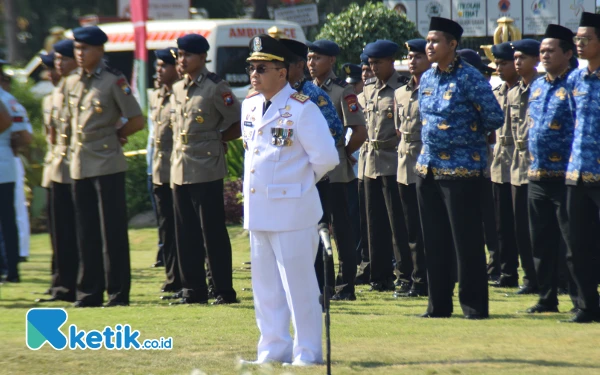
(288, 150)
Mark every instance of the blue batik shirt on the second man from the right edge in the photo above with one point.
(551, 124)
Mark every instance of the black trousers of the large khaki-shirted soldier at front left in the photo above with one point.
(101, 222)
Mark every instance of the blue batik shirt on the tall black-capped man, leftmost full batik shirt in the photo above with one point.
(458, 110)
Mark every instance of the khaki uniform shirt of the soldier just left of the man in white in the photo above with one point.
(203, 107)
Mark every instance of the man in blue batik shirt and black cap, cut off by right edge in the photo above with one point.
(583, 172)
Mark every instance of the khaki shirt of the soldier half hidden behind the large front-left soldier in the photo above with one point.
(61, 122)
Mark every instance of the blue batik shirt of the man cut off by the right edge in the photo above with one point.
(585, 153)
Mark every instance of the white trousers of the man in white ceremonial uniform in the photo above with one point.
(285, 288)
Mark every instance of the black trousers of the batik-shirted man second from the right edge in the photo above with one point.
(548, 222)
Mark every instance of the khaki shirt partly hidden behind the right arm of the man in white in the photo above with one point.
(350, 113)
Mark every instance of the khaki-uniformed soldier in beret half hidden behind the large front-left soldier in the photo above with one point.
(62, 213)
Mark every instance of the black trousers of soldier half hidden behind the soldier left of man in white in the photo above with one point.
(163, 196)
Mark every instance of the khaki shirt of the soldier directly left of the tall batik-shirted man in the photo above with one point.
(408, 122)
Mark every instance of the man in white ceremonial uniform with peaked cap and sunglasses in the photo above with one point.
(288, 149)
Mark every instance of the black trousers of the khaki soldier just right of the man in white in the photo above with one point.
(334, 201)
